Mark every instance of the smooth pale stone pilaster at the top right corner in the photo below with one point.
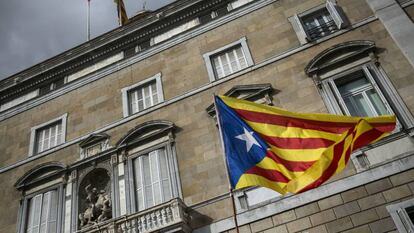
(397, 23)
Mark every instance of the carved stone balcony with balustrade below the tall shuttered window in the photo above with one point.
(167, 217)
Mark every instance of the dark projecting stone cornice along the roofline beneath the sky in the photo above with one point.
(105, 45)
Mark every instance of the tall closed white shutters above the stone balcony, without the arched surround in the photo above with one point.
(152, 179)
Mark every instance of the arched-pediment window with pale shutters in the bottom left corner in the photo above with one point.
(41, 206)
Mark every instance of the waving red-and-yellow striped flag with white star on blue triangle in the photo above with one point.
(290, 152)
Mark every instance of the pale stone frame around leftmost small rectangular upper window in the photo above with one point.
(34, 130)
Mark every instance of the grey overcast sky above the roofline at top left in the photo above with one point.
(32, 31)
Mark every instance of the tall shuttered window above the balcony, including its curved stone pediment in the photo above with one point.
(151, 165)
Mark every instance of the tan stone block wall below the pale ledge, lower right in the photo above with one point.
(362, 209)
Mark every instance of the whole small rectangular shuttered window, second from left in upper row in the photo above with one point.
(142, 95)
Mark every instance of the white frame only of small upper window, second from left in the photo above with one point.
(126, 90)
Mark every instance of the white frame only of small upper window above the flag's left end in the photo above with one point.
(242, 42)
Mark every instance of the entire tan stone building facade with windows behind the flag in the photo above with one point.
(119, 135)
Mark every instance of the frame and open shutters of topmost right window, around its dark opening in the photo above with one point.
(336, 13)
